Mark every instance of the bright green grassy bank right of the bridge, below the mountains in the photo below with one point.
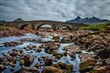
(95, 27)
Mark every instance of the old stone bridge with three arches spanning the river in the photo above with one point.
(56, 25)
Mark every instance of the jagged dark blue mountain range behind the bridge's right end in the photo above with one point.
(92, 20)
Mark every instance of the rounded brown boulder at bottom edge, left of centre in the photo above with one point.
(51, 69)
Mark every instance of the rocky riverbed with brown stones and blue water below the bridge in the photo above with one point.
(56, 52)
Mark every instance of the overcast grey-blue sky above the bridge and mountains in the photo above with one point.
(57, 10)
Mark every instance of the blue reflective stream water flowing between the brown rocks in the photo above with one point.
(64, 59)
